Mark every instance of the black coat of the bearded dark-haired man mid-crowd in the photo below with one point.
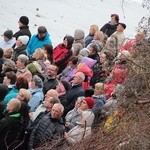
(49, 83)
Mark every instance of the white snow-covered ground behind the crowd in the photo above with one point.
(62, 17)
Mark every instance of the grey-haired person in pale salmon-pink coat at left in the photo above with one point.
(22, 70)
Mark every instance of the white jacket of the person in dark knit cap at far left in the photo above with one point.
(8, 44)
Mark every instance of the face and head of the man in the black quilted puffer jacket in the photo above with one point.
(56, 112)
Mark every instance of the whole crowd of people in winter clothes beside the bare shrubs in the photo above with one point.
(48, 94)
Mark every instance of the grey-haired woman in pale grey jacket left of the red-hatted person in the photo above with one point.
(74, 115)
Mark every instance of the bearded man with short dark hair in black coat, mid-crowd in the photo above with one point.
(50, 81)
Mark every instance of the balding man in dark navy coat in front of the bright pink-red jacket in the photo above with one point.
(75, 91)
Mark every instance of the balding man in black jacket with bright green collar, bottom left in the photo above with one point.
(10, 125)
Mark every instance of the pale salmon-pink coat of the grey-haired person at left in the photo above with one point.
(24, 73)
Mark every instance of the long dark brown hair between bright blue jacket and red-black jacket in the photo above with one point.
(49, 49)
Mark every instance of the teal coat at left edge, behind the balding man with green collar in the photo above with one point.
(11, 94)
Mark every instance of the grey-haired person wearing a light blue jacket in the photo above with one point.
(36, 87)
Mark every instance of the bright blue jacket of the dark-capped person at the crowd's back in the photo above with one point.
(35, 43)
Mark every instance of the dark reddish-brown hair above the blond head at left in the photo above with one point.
(21, 83)
